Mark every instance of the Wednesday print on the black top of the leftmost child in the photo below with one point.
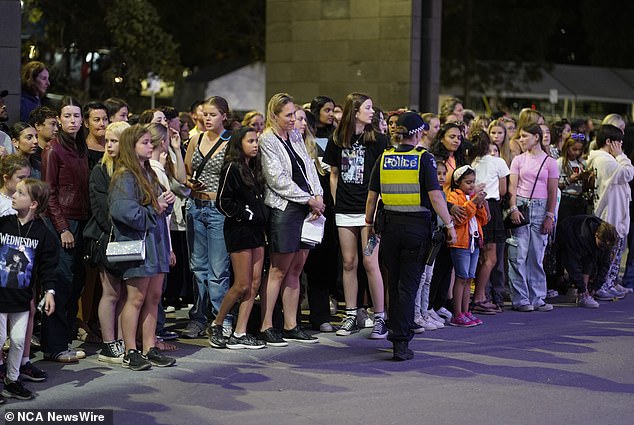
(16, 261)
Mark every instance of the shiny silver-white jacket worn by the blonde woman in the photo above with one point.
(278, 171)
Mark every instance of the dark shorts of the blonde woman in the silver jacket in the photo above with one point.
(285, 228)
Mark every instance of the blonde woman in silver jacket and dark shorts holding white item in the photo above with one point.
(292, 194)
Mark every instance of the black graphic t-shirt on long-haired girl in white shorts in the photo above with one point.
(355, 166)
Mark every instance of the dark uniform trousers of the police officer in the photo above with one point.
(404, 242)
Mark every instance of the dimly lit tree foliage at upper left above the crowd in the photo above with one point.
(126, 32)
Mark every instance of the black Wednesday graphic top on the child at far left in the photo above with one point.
(27, 252)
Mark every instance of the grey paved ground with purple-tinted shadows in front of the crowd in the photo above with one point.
(569, 366)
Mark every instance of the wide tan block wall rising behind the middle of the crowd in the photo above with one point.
(334, 47)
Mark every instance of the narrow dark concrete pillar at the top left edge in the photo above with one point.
(10, 28)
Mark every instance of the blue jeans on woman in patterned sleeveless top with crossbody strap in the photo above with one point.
(209, 260)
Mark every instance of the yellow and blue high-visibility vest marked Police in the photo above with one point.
(400, 184)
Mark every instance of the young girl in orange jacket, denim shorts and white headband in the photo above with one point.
(464, 252)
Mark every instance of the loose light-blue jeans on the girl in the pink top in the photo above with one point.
(525, 256)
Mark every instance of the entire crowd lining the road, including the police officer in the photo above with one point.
(430, 219)
